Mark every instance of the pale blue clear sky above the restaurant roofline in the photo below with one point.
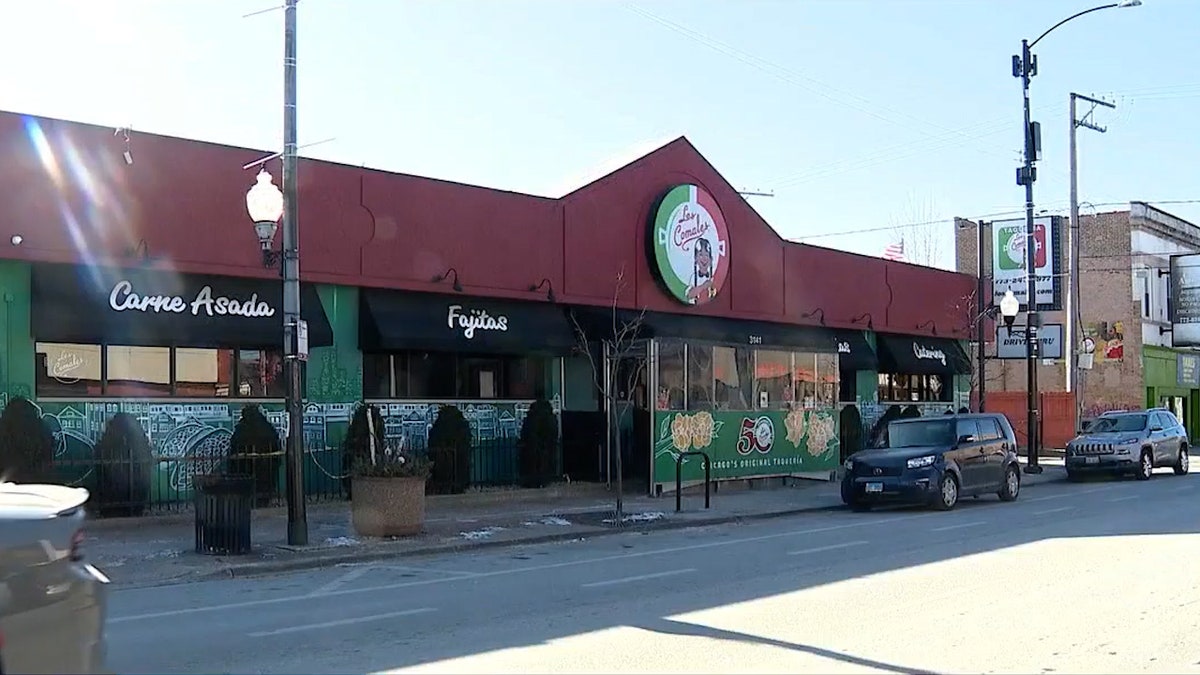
(859, 115)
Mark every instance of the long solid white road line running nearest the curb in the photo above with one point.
(634, 555)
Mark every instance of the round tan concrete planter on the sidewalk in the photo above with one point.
(388, 507)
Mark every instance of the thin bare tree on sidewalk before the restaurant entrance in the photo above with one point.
(610, 366)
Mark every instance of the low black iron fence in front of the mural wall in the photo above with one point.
(131, 487)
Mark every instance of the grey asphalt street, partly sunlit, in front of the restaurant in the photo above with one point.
(1093, 578)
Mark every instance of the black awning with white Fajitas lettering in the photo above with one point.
(399, 320)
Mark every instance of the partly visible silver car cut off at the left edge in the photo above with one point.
(52, 604)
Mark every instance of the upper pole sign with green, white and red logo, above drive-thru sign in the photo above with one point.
(1009, 261)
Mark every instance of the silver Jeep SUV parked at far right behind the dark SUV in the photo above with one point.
(1130, 443)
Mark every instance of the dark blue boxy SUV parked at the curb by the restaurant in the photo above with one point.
(937, 461)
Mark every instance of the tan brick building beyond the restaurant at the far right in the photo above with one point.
(1124, 321)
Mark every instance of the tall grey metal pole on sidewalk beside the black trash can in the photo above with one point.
(290, 267)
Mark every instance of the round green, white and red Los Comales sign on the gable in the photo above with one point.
(692, 244)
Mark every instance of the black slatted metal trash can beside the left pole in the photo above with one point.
(224, 506)
